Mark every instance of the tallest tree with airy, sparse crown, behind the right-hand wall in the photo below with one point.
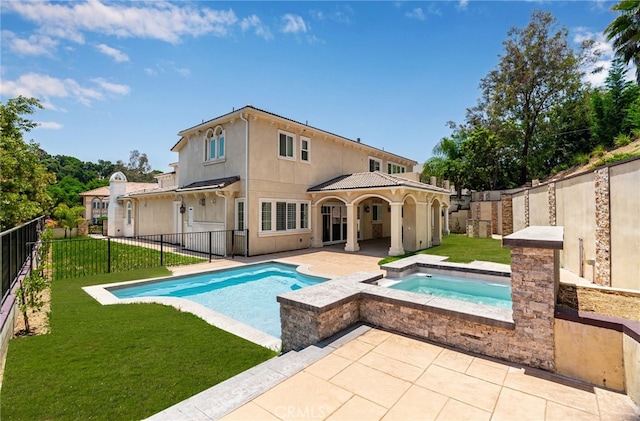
(537, 71)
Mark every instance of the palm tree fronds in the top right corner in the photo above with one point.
(625, 33)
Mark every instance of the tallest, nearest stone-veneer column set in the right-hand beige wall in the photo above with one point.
(603, 228)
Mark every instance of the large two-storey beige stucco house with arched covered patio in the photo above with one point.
(292, 186)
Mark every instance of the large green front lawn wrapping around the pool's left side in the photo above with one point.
(118, 361)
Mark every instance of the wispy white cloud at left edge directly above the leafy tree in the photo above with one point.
(46, 87)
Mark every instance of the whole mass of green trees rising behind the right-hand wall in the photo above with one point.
(536, 115)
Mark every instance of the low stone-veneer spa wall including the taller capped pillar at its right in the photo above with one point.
(315, 313)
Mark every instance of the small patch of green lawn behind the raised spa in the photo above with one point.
(462, 249)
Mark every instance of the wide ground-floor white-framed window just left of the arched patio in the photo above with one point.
(289, 216)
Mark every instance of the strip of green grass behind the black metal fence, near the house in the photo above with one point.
(83, 256)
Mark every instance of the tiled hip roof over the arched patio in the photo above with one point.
(370, 180)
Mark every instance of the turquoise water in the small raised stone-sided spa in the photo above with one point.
(472, 290)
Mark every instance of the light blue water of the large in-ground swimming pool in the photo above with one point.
(246, 294)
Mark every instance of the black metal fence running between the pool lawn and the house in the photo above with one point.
(84, 256)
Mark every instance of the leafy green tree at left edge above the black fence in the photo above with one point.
(23, 179)
